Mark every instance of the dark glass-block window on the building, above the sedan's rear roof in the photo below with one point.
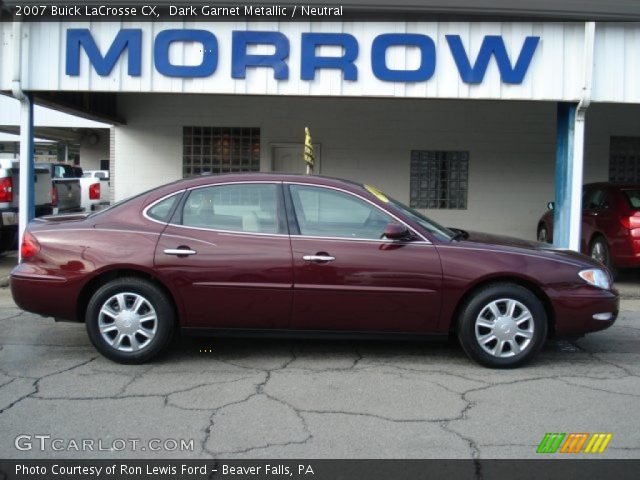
(220, 150)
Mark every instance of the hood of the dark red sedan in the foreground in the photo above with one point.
(501, 242)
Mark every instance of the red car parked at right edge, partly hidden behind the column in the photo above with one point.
(610, 224)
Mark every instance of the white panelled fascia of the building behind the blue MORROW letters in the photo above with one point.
(555, 72)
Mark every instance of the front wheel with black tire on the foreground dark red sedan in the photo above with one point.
(478, 304)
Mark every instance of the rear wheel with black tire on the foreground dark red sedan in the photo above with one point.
(141, 347)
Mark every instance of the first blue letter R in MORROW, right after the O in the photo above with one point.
(242, 60)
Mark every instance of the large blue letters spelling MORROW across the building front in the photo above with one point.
(471, 70)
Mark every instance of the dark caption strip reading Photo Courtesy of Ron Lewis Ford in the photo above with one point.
(319, 469)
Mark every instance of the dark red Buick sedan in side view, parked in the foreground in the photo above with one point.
(280, 254)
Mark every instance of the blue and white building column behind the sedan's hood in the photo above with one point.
(567, 218)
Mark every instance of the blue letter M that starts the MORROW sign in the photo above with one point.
(126, 38)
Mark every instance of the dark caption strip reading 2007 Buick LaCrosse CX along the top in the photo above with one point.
(316, 11)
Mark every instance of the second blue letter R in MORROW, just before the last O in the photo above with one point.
(310, 62)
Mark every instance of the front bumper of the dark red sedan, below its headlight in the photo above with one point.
(583, 309)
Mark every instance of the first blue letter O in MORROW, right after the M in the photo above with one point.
(209, 53)
